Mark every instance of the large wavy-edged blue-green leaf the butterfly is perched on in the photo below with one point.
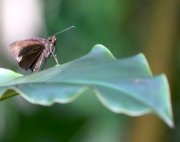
(123, 85)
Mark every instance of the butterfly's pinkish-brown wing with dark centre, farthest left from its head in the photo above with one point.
(26, 52)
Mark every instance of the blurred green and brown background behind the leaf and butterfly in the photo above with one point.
(126, 28)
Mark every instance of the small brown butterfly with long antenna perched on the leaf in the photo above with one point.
(31, 53)
